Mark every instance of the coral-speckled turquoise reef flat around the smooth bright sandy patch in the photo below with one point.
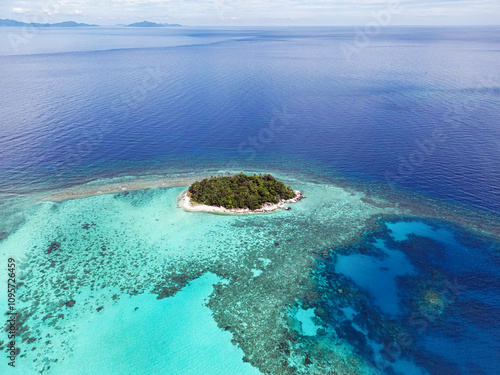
(82, 256)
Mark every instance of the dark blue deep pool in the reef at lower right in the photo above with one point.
(428, 289)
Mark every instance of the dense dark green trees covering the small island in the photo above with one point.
(240, 191)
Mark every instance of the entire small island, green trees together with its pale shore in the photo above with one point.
(239, 193)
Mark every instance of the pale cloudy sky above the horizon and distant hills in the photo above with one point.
(257, 12)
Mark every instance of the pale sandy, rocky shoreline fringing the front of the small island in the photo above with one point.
(186, 204)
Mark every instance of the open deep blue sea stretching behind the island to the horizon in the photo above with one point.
(416, 108)
